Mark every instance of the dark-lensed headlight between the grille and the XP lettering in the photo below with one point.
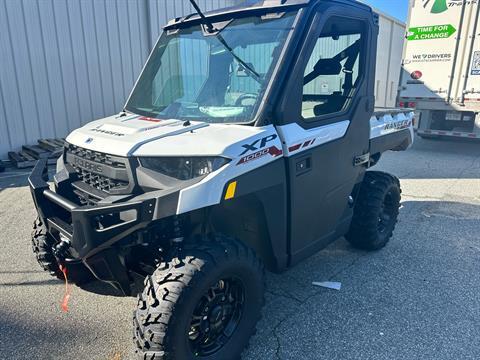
(183, 168)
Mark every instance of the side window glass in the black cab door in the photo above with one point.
(334, 69)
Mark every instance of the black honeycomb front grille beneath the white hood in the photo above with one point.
(112, 179)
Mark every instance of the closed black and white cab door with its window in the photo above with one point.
(326, 129)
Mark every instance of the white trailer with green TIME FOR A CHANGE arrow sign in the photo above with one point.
(441, 67)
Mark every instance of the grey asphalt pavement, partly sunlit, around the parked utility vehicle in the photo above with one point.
(416, 299)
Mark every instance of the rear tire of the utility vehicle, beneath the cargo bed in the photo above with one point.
(376, 211)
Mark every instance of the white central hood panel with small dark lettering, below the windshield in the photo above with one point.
(122, 135)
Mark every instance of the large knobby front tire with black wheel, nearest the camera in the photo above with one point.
(196, 295)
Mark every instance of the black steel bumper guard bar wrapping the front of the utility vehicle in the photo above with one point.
(81, 224)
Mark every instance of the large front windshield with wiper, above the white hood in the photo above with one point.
(211, 78)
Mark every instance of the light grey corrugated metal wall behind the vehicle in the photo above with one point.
(64, 63)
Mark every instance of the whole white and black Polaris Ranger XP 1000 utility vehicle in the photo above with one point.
(244, 144)
